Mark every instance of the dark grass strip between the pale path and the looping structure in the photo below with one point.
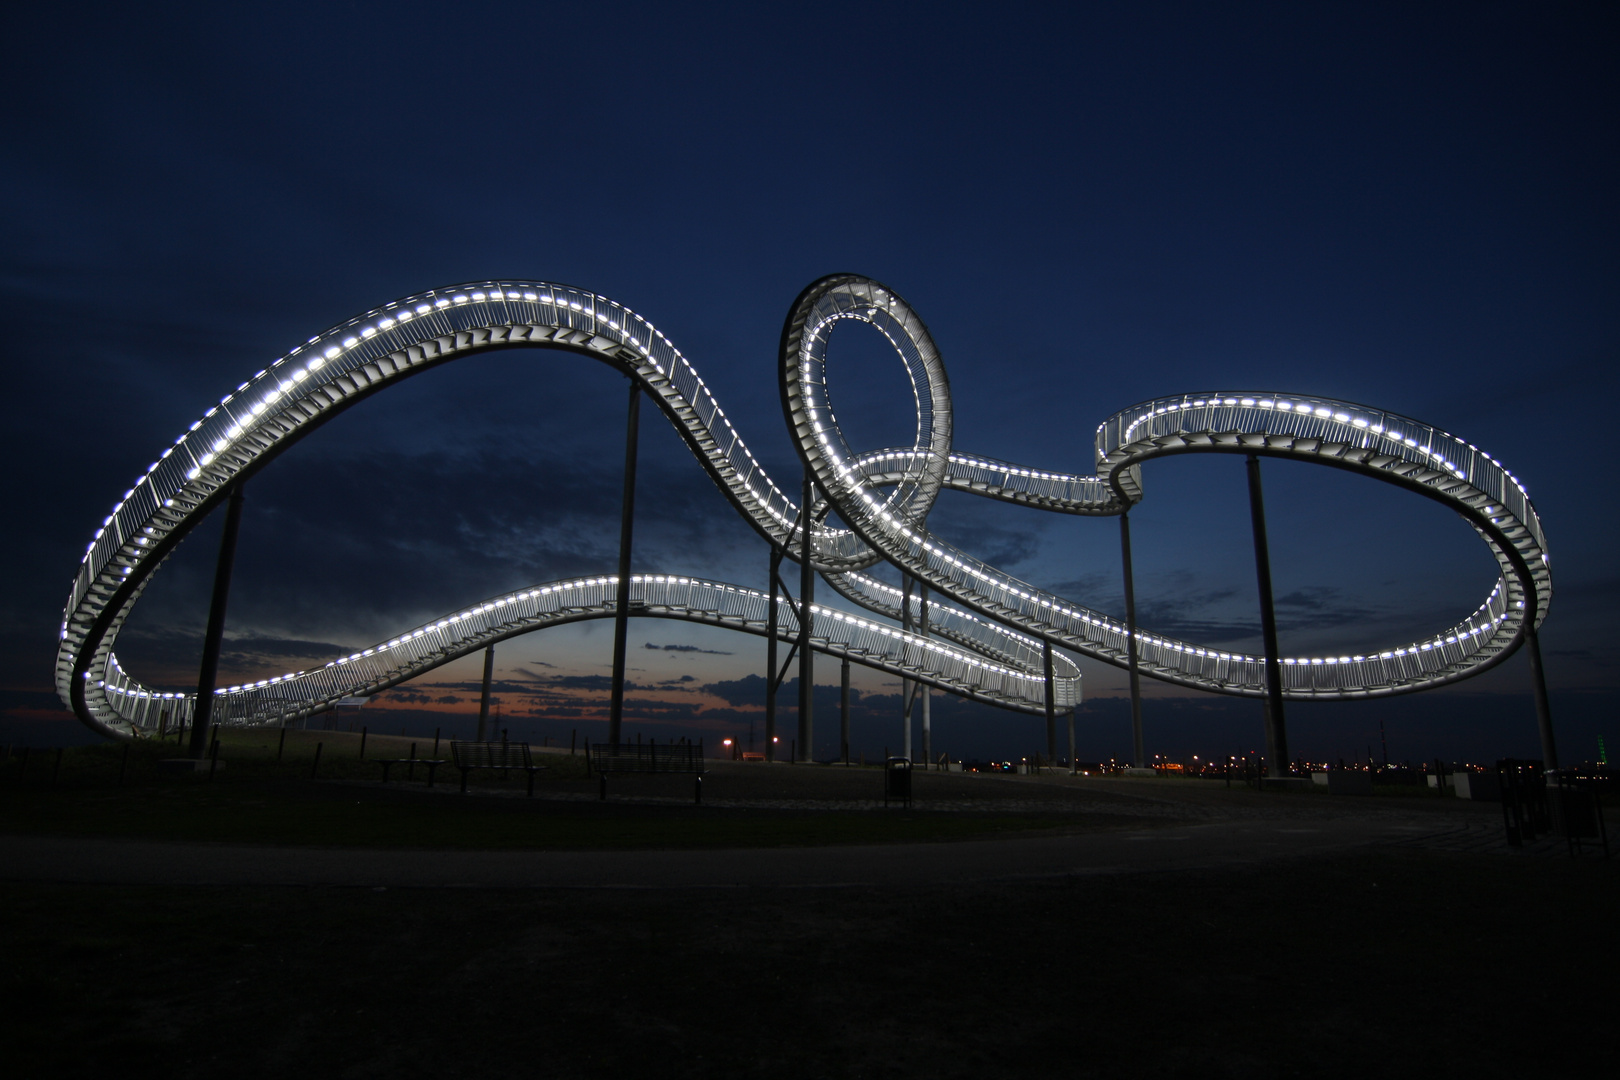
(266, 797)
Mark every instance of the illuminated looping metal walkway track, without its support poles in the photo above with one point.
(884, 500)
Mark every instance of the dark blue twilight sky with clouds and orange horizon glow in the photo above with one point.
(1409, 206)
